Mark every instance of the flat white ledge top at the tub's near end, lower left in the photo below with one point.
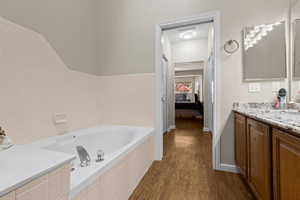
(23, 163)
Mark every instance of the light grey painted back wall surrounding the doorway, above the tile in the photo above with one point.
(131, 24)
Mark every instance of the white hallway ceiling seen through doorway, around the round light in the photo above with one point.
(202, 31)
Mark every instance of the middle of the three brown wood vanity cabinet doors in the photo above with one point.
(259, 159)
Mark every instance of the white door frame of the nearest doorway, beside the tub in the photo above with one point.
(204, 17)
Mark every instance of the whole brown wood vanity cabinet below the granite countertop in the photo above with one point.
(272, 161)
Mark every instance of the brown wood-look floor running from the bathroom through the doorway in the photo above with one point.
(186, 172)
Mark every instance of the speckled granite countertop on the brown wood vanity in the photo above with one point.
(288, 119)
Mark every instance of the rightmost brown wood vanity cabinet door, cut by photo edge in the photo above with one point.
(286, 166)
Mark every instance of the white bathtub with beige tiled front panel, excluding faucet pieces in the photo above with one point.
(129, 152)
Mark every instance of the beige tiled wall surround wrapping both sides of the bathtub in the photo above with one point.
(35, 84)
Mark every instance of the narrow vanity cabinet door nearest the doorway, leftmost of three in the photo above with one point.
(241, 144)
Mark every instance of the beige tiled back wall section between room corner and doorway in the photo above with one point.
(127, 100)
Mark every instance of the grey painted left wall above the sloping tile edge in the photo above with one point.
(69, 26)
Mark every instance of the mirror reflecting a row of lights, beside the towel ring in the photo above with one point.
(264, 52)
